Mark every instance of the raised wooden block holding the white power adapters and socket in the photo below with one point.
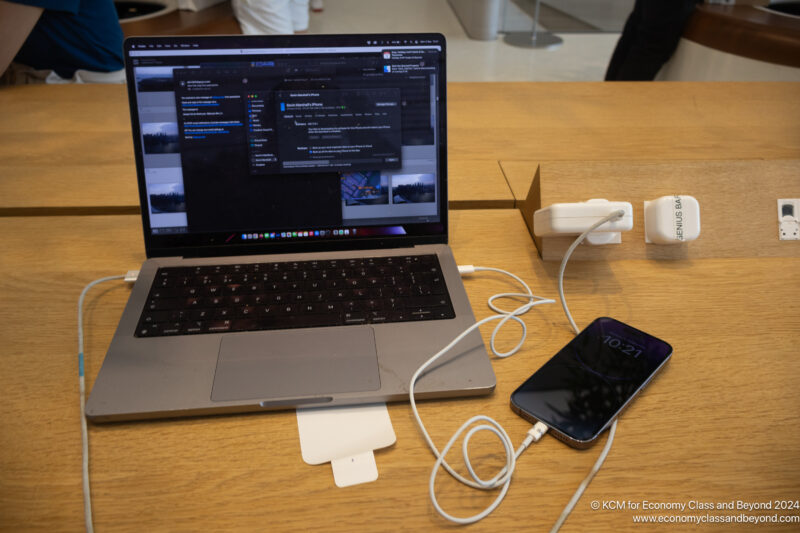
(738, 205)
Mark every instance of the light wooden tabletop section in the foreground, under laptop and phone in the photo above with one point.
(719, 424)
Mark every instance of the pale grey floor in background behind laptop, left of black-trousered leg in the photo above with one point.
(582, 56)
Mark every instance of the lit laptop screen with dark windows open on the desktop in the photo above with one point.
(261, 144)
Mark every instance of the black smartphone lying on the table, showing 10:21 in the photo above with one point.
(580, 390)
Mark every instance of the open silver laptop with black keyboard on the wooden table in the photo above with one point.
(294, 202)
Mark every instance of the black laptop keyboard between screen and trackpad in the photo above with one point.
(264, 296)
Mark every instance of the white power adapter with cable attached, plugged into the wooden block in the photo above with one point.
(575, 218)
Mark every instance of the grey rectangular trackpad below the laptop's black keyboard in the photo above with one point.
(296, 364)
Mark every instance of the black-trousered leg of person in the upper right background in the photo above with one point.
(649, 39)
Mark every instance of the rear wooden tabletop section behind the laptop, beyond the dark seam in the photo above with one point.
(68, 149)
